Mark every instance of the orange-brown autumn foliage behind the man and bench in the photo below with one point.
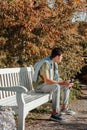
(29, 29)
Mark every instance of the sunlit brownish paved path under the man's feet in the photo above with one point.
(76, 122)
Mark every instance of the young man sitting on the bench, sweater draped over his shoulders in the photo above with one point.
(46, 77)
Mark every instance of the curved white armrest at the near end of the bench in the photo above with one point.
(18, 89)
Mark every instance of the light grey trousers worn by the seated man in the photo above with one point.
(55, 90)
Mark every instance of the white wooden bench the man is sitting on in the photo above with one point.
(16, 91)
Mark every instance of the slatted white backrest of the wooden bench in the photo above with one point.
(15, 77)
